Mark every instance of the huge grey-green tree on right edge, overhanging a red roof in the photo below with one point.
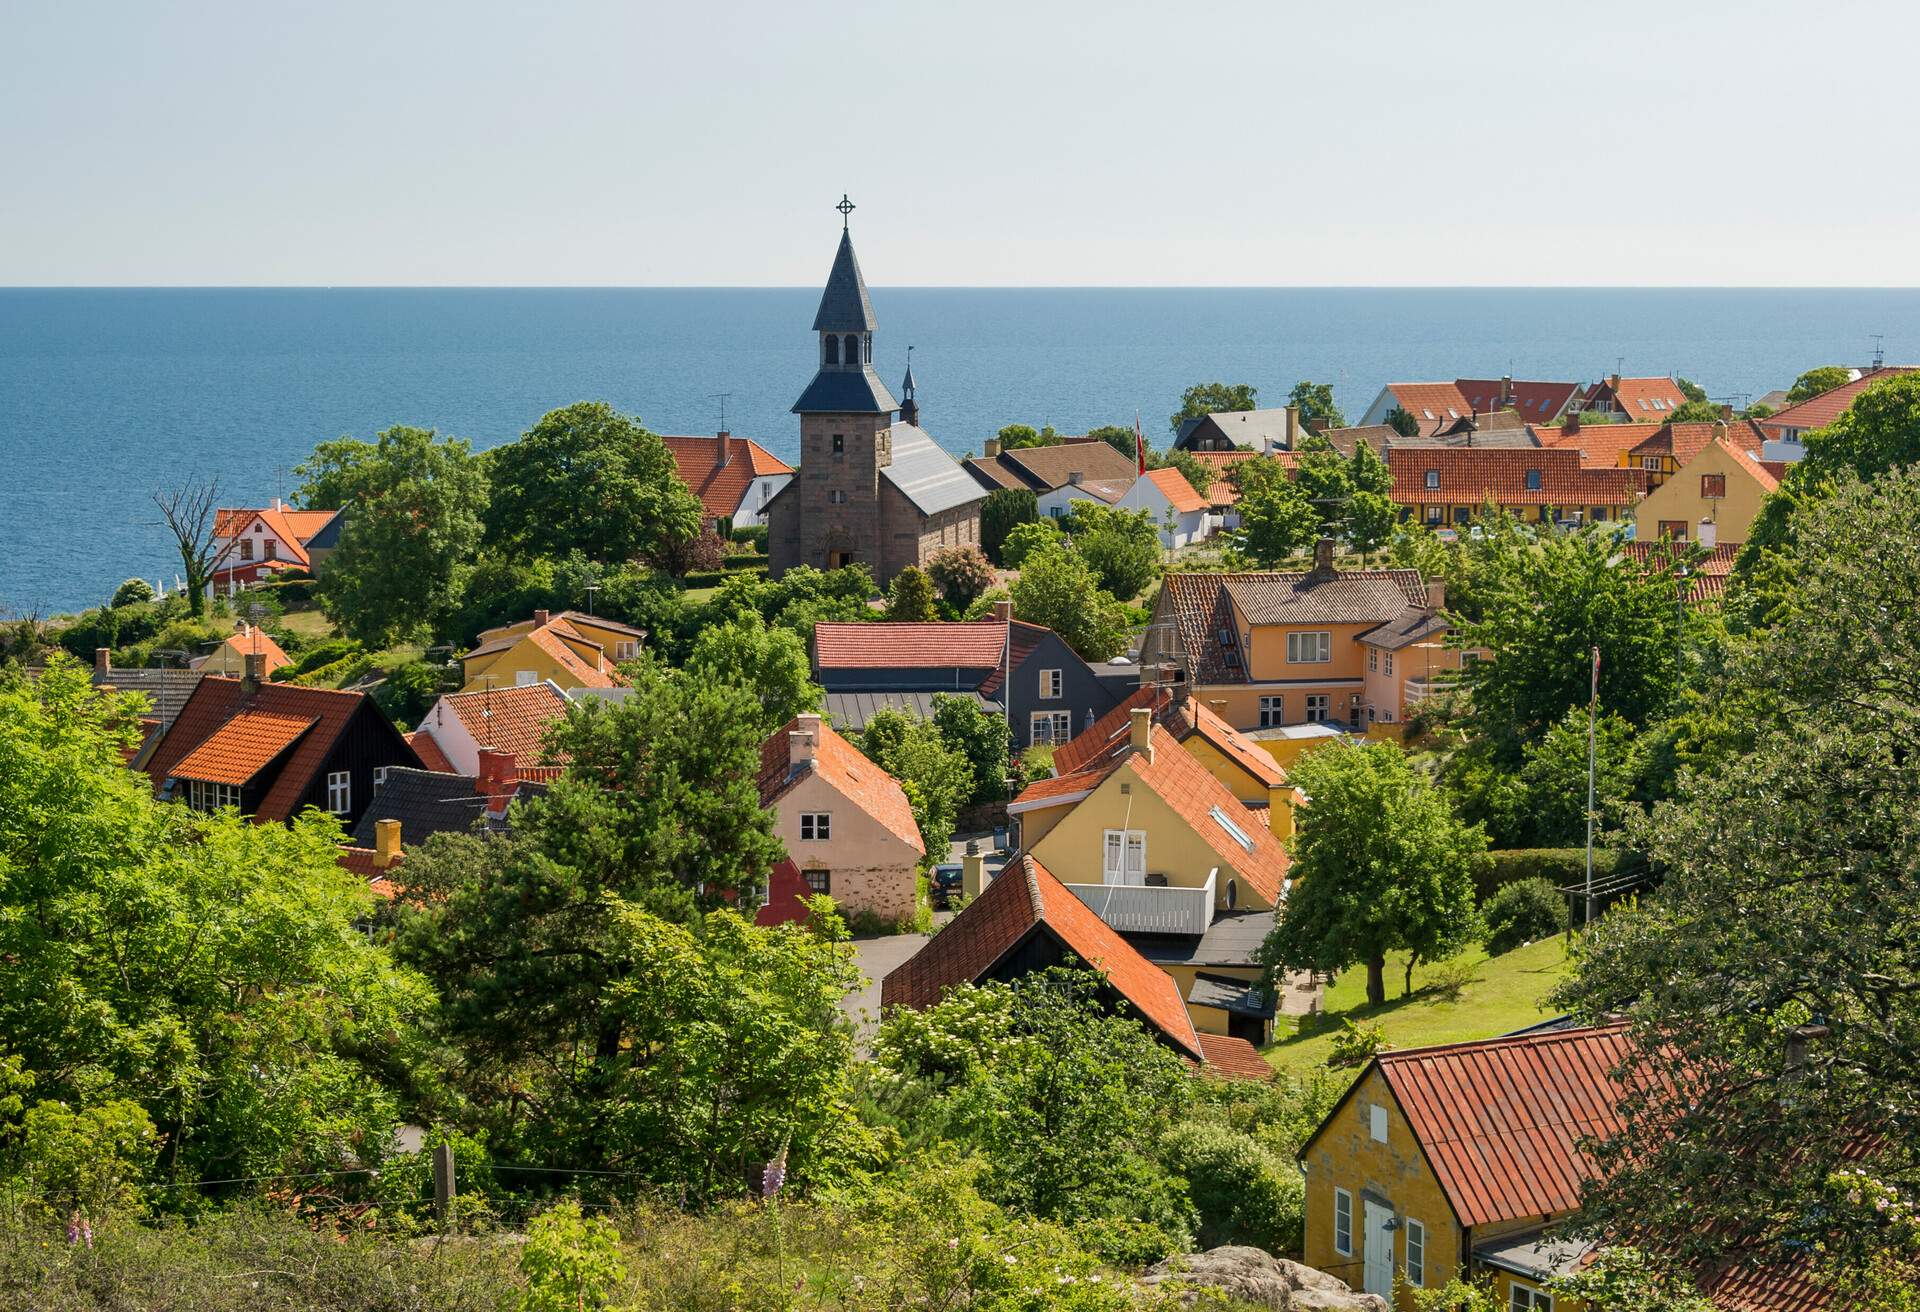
(1769, 979)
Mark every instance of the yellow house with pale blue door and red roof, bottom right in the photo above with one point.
(1454, 1161)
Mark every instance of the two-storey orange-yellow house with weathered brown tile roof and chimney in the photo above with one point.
(1266, 650)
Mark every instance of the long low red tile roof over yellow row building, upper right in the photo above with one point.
(1477, 475)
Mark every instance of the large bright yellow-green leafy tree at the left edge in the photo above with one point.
(199, 965)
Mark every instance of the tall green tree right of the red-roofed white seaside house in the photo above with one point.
(412, 523)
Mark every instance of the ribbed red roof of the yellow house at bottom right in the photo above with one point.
(1500, 1121)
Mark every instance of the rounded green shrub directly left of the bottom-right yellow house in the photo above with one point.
(1243, 1192)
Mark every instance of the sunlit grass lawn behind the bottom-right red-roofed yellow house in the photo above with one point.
(1504, 994)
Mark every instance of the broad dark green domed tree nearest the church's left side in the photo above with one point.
(594, 481)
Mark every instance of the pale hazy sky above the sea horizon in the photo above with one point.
(1270, 143)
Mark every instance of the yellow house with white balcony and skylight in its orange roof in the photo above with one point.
(1164, 854)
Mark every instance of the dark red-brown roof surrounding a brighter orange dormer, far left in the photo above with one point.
(218, 700)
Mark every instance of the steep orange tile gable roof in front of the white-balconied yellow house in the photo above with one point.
(1022, 900)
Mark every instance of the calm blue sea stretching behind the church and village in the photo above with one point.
(110, 395)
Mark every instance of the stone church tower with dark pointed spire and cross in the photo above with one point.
(846, 425)
